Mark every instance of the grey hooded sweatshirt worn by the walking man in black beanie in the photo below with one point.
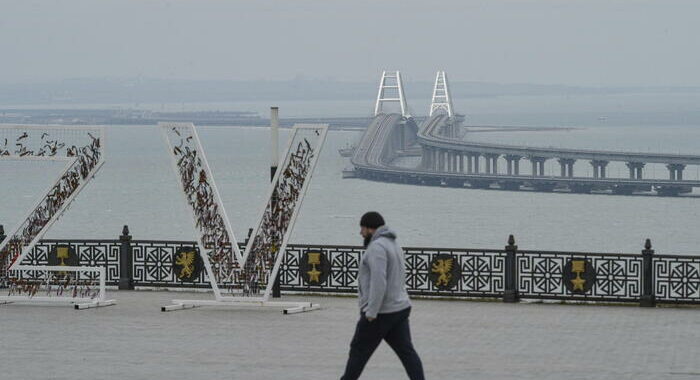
(383, 275)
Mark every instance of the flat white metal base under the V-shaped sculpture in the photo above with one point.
(239, 302)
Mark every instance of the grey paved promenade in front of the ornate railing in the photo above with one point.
(457, 340)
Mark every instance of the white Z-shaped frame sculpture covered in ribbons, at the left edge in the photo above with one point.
(82, 149)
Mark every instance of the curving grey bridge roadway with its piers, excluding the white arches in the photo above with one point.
(443, 163)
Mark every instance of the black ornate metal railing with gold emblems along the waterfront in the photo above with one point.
(509, 274)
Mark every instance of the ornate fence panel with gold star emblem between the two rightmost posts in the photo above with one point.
(579, 276)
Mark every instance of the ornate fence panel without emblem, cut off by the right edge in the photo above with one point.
(677, 279)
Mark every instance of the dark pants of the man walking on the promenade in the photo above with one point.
(392, 327)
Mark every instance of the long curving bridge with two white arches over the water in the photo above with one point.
(447, 158)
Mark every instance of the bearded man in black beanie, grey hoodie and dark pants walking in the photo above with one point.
(384, 303)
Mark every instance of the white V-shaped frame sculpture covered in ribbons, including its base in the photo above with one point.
(243, 280)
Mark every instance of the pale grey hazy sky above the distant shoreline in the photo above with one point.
(581, 42)
